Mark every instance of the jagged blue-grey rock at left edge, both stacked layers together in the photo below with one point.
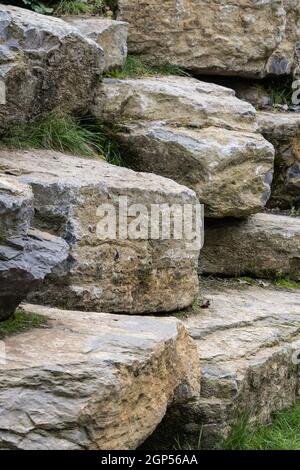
(26, 256)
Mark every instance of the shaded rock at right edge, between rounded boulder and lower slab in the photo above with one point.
(262, 245)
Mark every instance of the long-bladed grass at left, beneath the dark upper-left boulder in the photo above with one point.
(64, 134)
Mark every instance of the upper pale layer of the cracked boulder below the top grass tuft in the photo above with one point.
(179, 101)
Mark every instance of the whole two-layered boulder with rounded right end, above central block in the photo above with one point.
(196, 133)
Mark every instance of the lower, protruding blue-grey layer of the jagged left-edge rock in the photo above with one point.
(24, 263)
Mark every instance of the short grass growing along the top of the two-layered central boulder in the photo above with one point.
(136, 67)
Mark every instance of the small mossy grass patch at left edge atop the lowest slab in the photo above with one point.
(21, 322)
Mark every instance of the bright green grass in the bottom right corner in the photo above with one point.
(283, 433)
